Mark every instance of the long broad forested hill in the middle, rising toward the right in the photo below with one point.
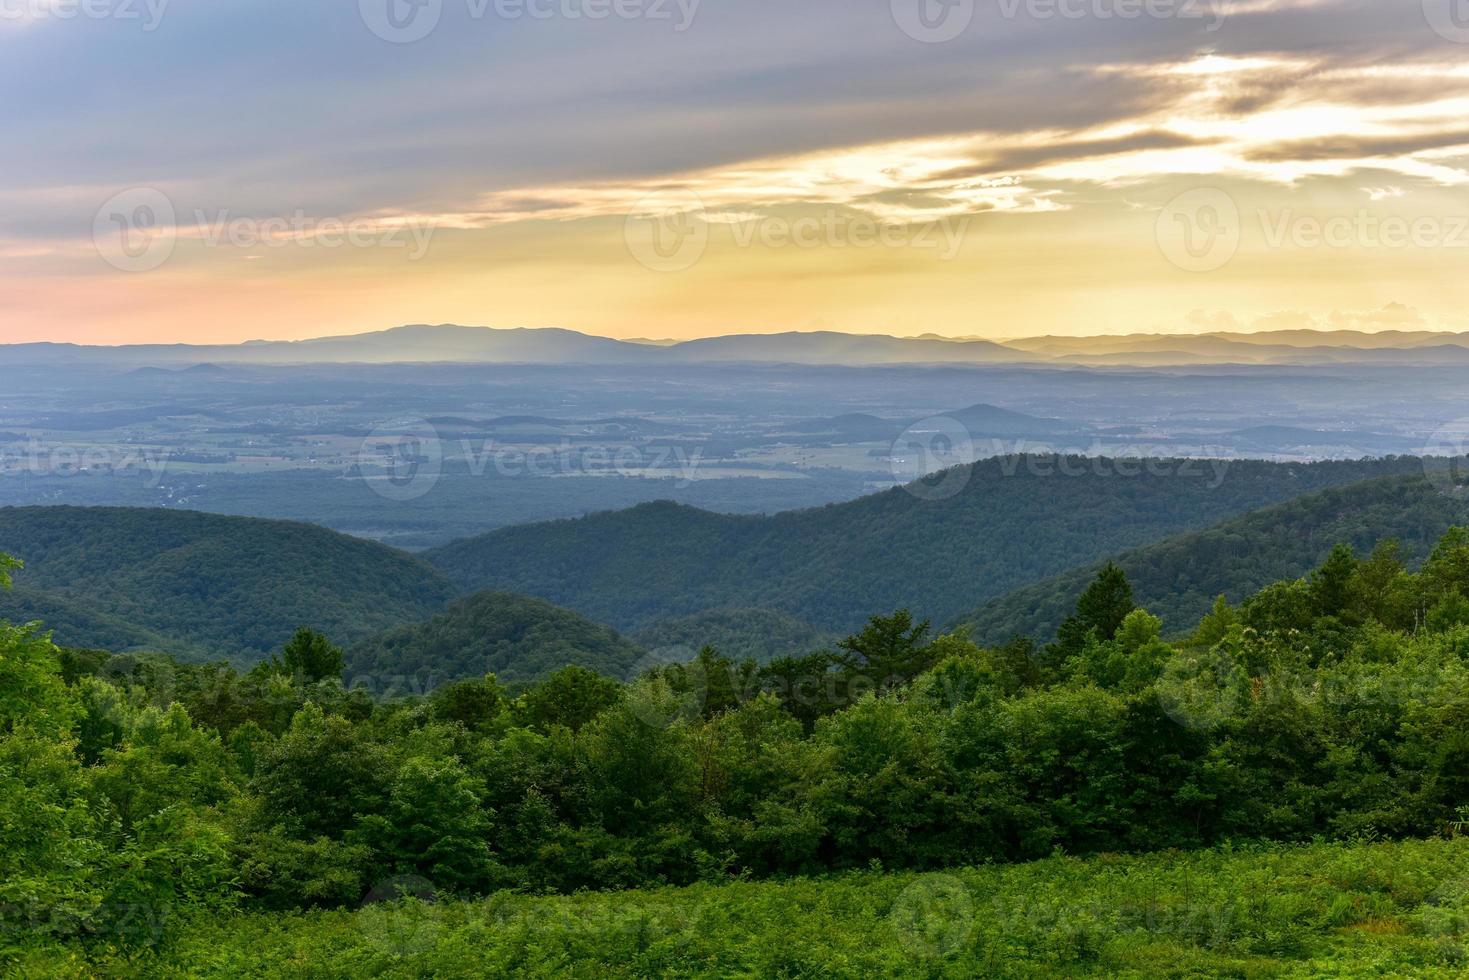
(1016, 521)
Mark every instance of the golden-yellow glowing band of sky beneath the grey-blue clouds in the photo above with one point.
(995, 231)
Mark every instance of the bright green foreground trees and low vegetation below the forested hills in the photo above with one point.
(1327, 709)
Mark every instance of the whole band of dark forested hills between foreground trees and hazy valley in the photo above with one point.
(1007, 555)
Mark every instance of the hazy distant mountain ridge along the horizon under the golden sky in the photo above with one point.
(557, 346)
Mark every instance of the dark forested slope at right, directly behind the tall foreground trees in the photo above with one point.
(1180, 578)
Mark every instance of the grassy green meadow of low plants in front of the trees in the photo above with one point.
(1263, 912)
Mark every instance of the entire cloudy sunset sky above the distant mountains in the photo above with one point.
(218, 171)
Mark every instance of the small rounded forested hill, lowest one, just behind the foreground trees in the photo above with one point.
(512, 637)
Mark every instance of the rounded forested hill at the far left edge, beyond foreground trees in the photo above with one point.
(203, 586)
